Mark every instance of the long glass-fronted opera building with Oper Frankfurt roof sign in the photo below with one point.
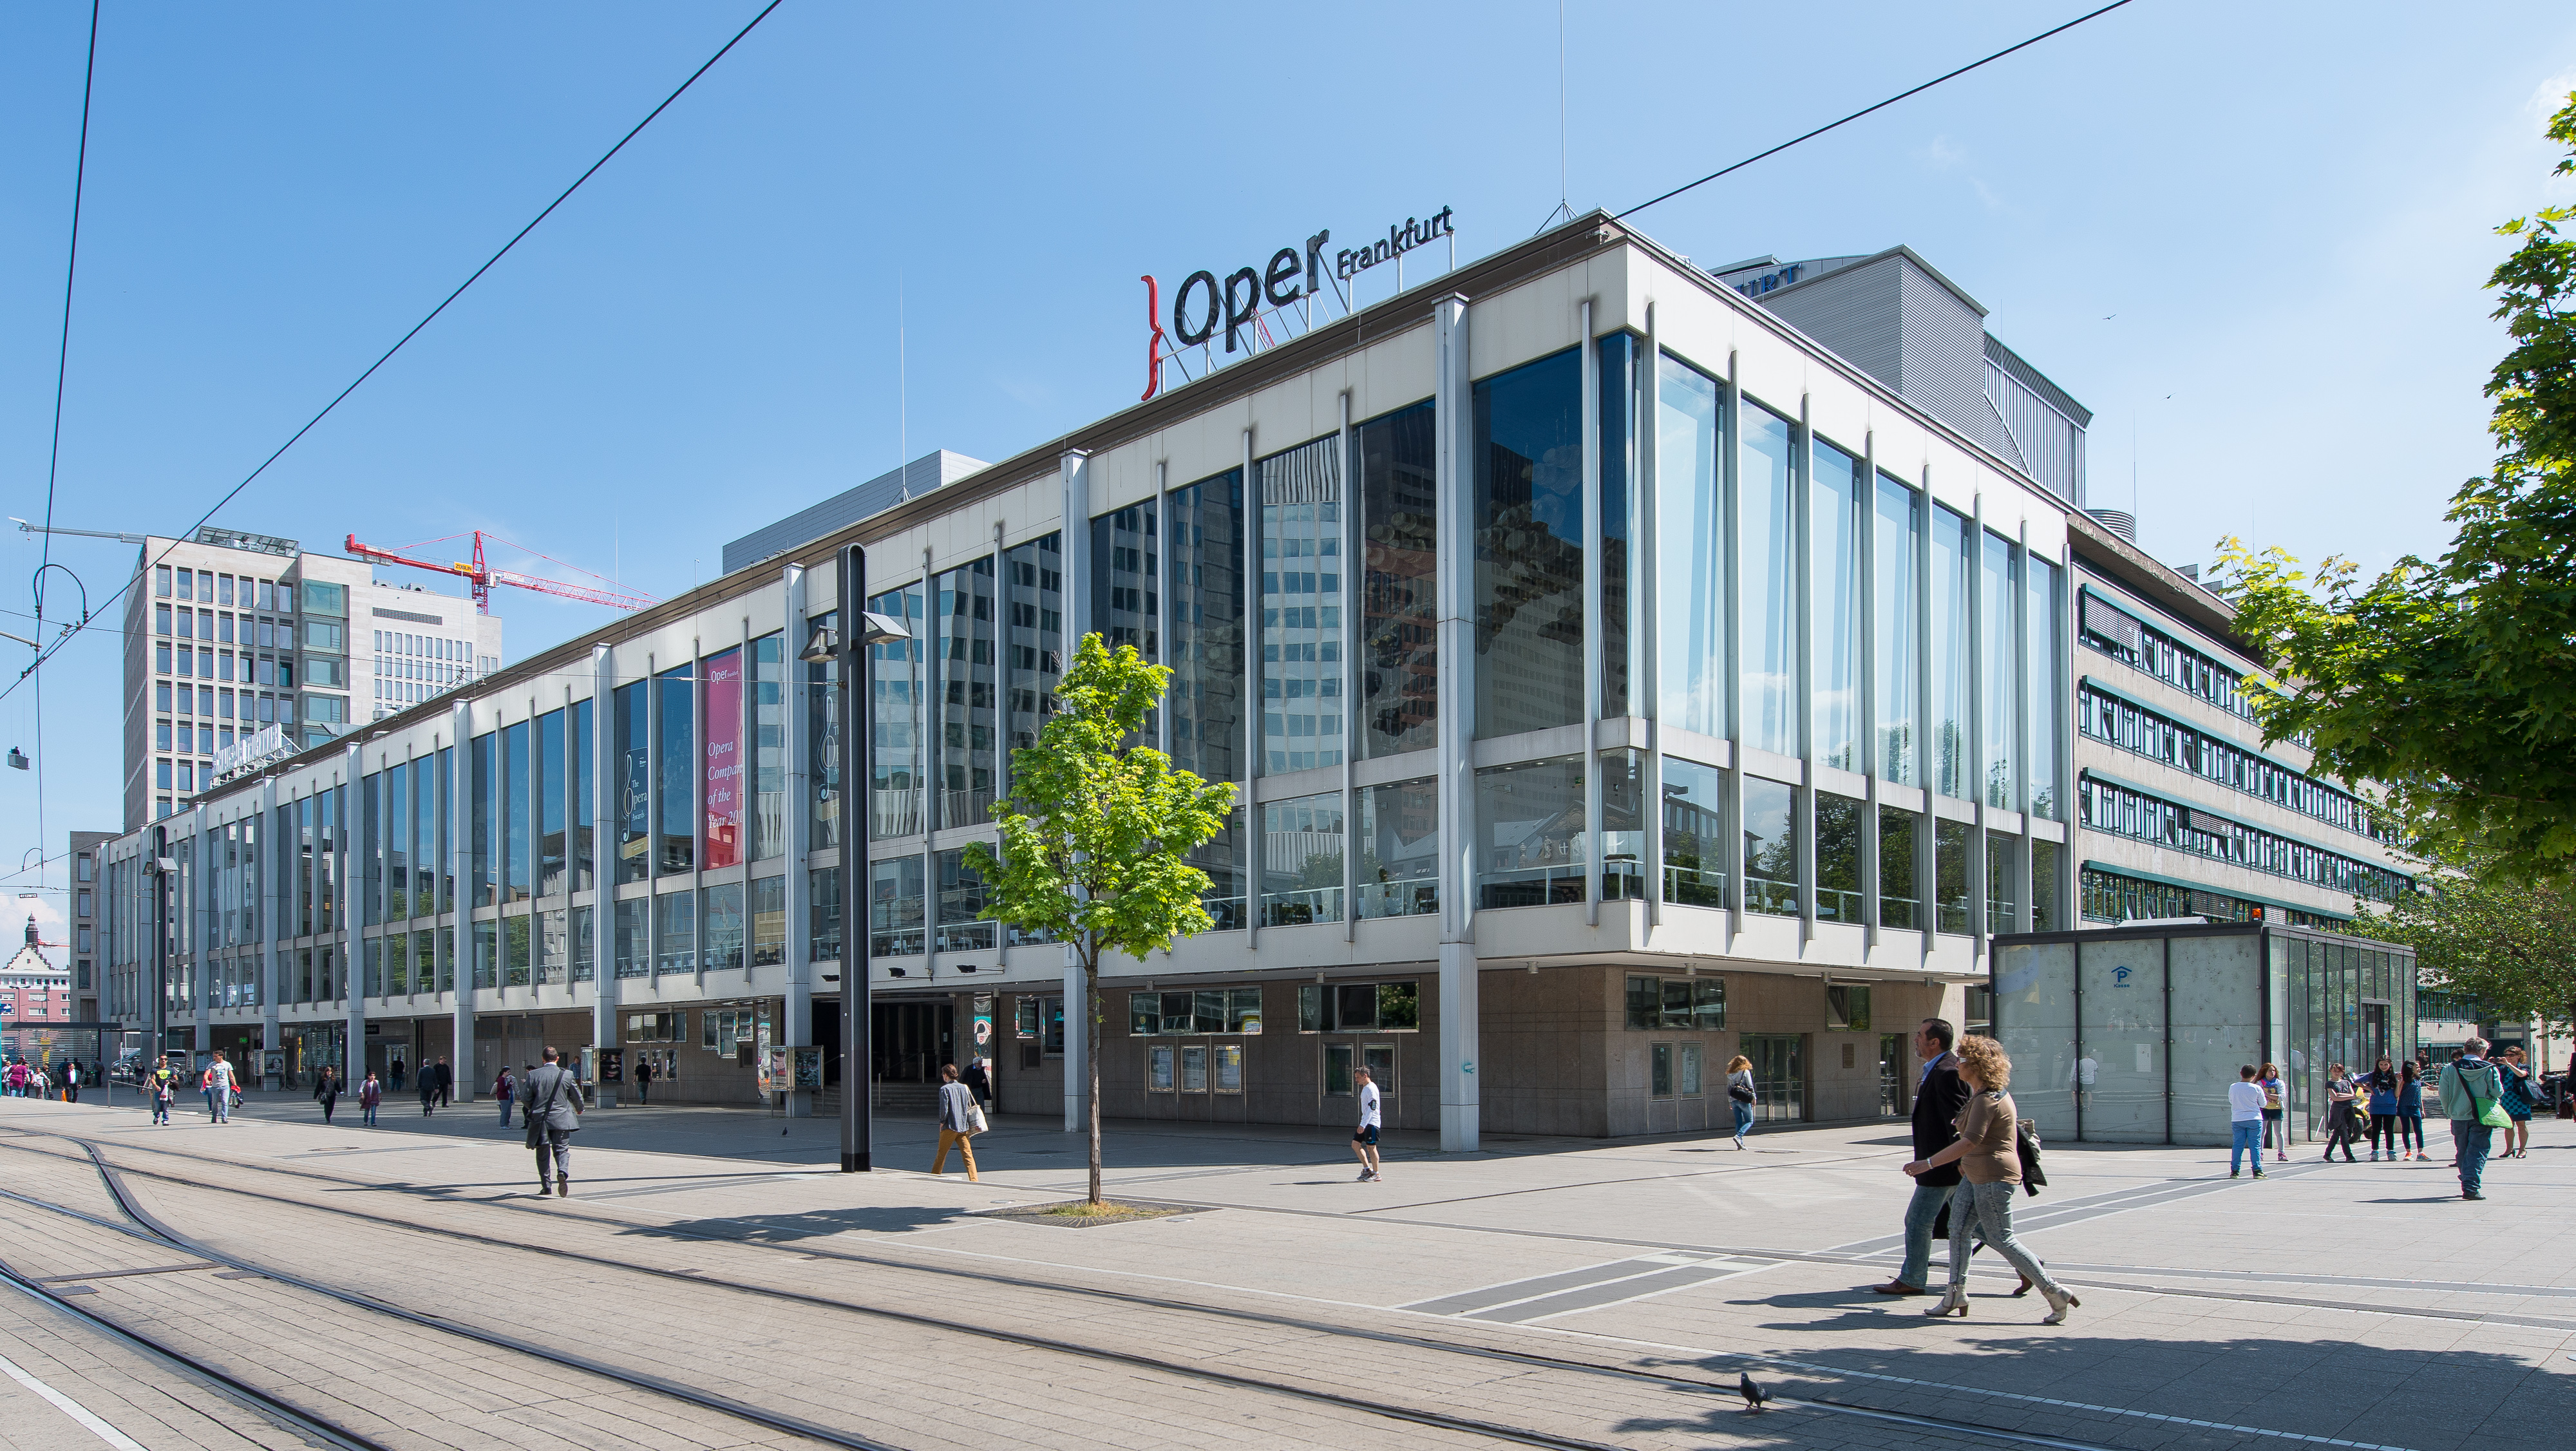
(1616, 677)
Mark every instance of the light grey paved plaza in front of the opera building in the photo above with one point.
(2322, 1305)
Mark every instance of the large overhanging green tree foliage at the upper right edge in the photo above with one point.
(2454, 682)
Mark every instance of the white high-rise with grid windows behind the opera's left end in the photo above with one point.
(243, 646)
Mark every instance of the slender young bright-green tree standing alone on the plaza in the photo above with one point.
(1099, 834)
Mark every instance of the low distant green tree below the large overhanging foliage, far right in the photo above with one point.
(2495, 942)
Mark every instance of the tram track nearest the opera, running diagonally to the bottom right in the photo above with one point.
(1449, 1347)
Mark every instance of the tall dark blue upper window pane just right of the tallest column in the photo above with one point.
(1529, 548)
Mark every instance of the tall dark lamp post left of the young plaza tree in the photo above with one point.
(849, 643)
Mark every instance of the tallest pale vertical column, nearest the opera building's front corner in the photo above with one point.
(1457, 736)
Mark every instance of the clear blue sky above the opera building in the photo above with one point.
(2253, 238)
